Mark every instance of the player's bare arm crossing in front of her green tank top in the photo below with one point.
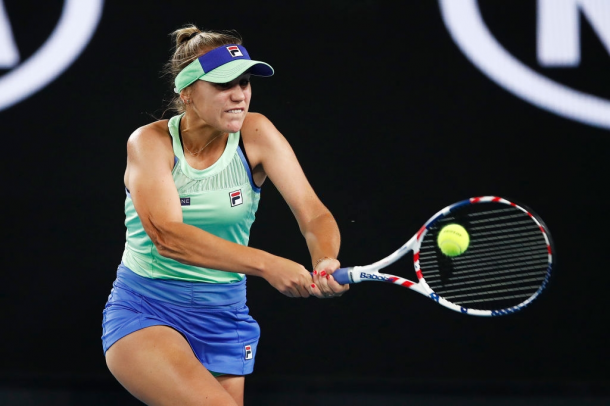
(149, 180)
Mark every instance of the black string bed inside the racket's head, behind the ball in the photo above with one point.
(506, 262)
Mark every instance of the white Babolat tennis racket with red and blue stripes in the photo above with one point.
(506, 266)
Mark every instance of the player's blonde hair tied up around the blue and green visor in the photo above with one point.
(191, 43)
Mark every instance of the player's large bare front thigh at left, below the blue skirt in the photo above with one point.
(157, 365)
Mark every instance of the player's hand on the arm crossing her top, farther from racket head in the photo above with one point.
(290, 278)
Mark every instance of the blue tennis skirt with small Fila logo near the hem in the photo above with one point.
(213, 318)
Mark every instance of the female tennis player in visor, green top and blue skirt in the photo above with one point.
(176, 328)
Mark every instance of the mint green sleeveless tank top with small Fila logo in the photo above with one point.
(221, 200)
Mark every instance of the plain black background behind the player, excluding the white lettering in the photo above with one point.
(390, 121)
